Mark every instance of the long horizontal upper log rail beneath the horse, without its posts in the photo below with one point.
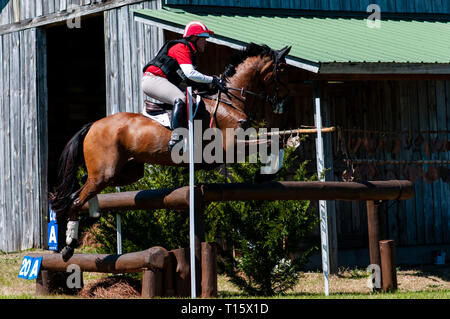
(178, 198)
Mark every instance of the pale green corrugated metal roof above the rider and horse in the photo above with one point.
(318, 40)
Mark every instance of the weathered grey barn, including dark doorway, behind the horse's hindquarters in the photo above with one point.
(63, 64)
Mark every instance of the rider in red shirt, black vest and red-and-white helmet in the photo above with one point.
(174, 67)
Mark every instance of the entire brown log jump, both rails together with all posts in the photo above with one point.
(154, 262)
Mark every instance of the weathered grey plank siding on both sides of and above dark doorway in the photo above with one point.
(23, 108)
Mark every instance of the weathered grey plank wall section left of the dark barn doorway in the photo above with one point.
(20, 195)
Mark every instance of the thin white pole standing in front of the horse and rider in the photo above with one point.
(191, 194)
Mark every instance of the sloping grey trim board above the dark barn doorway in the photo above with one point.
(62, 16)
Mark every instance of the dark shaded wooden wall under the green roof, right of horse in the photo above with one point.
(415, 108)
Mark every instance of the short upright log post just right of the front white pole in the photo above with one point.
(209, 270)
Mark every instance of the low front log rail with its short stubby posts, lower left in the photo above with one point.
(164, 273)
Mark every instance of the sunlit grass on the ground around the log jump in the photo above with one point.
(424, 282)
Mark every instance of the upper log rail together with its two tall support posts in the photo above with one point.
(373, 192)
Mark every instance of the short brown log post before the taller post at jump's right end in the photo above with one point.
(388, 271)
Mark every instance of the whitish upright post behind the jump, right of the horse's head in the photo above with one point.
(322, 203)
